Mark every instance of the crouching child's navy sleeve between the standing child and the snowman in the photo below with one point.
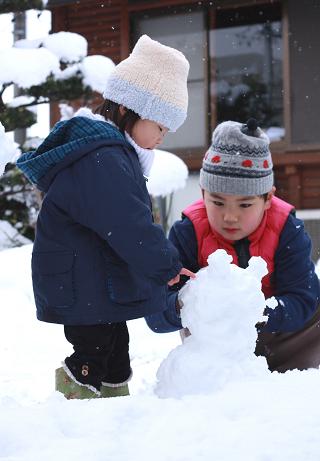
(182, 235)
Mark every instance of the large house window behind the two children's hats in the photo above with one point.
(235, 57)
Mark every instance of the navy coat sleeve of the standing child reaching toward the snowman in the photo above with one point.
(102, 193)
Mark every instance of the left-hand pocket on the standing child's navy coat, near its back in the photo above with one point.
(52, 276)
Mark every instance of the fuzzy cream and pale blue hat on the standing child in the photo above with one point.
(152, 82)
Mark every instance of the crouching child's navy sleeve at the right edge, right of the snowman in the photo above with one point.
(296, 283)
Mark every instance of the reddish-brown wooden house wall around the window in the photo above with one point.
(105, 25)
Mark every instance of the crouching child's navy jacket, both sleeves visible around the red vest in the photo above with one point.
(296, 283)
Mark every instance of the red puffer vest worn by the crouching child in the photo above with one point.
(263, 241)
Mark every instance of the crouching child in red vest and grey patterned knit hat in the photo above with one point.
(239, 213)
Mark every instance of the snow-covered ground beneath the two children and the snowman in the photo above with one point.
(259, 419)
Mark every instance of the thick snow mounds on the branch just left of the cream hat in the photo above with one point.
(41, 57)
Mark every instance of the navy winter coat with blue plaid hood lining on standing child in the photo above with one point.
(97, 257)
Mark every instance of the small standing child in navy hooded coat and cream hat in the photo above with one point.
(98, 258)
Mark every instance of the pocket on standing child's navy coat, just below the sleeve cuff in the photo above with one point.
(126, 287)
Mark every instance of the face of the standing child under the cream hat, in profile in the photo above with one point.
(148, 134)
